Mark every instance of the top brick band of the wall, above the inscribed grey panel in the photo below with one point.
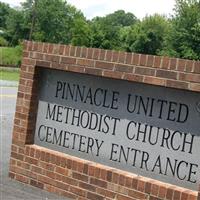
(155, 70)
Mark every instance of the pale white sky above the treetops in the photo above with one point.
(140, 8)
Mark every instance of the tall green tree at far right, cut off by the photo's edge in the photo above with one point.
(185, 36)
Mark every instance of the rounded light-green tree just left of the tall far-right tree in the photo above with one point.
(148, 36)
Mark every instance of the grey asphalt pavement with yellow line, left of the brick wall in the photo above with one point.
(11, 189)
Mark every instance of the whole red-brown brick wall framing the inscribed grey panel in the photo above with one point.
(77, 178)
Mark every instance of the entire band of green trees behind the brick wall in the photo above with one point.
(57, 21)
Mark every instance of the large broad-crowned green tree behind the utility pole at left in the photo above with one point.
(48, 21)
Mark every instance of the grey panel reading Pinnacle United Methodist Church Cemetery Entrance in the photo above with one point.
(148, 130)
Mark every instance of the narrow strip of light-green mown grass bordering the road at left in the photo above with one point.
(9, 75)
